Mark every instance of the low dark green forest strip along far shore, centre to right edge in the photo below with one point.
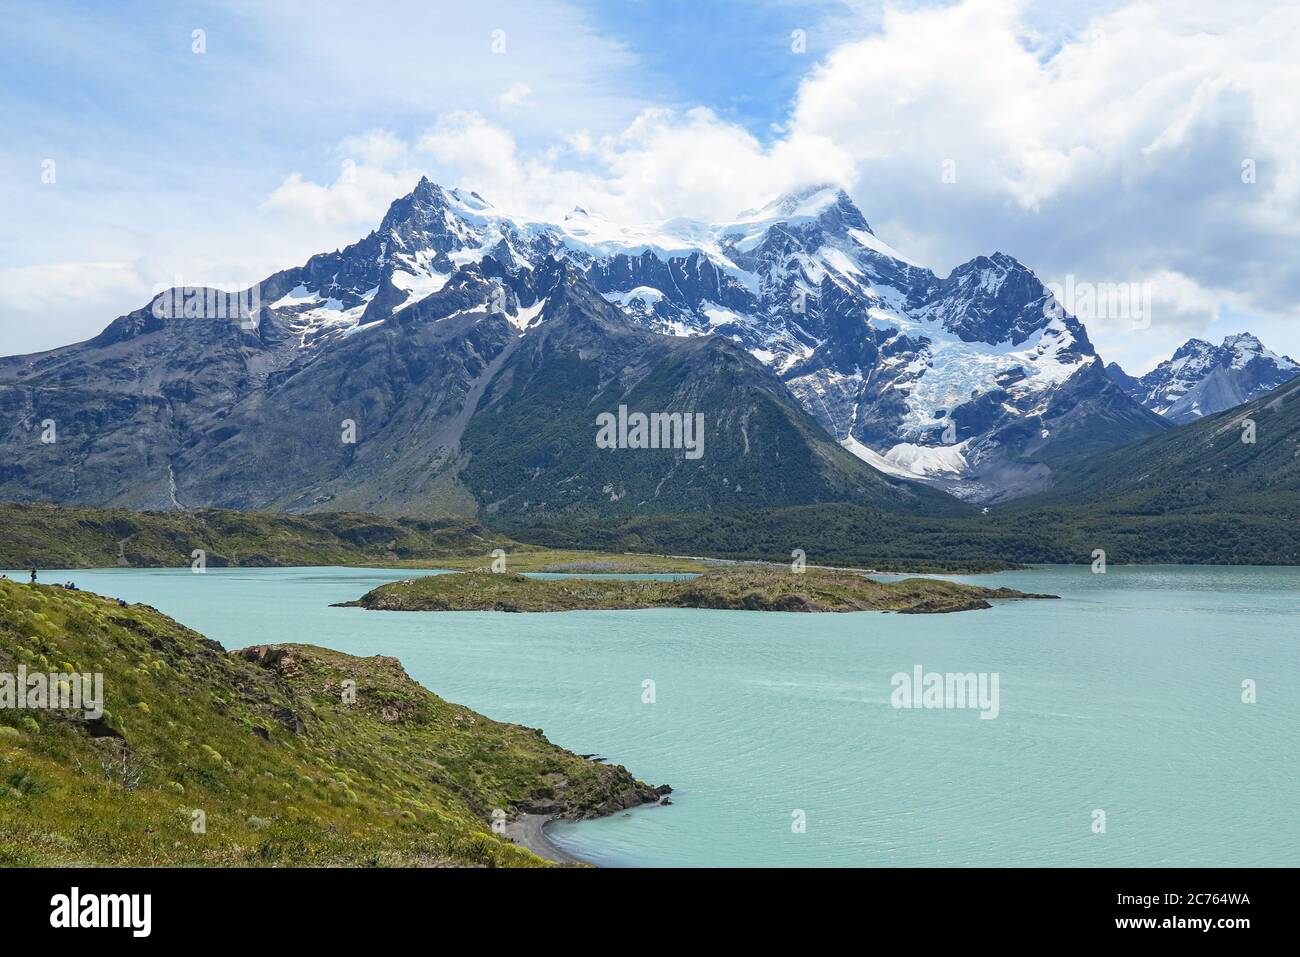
(844, 535)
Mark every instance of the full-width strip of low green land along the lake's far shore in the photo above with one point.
(1263, 530)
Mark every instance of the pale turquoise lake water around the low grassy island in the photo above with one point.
(1125, 699)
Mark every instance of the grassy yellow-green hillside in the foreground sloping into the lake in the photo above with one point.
(263, 744)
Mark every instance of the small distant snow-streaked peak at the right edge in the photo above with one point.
(1202, 379)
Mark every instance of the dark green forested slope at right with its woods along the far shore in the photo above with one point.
(1194, 495)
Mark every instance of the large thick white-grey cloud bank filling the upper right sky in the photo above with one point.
(1116, 157)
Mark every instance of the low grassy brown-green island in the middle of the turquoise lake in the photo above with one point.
(747, 590)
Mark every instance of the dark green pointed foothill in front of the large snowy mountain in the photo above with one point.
(532, 447)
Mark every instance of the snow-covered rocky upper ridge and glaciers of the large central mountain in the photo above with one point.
(959, 382)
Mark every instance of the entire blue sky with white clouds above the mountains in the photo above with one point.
(1100, 141)
